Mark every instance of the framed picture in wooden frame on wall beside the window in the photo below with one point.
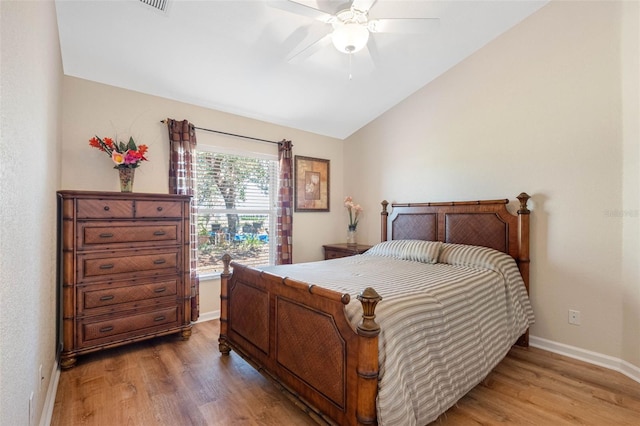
(311, 184)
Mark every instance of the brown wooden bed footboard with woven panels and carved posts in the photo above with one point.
(298, 334)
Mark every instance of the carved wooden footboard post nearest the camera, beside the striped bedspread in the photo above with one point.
(368, 331)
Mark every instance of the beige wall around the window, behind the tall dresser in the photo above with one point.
(96, 109)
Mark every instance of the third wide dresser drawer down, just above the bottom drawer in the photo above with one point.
(112, 296)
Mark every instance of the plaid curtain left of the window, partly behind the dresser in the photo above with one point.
(182, 180)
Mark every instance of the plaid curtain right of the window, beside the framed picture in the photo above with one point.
(285, 204)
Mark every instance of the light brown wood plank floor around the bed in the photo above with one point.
(167, 381)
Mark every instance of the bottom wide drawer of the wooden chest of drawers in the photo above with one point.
(104, 330)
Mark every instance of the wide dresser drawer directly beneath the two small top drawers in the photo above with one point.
(133, 233)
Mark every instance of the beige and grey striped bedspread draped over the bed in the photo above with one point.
(444, 326)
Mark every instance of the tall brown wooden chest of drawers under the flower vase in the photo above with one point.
(124, 269)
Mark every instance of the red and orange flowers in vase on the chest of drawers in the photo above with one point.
(126, 157)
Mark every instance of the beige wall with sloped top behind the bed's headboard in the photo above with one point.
(538, 110)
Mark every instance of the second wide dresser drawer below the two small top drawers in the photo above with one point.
(128, 264)
